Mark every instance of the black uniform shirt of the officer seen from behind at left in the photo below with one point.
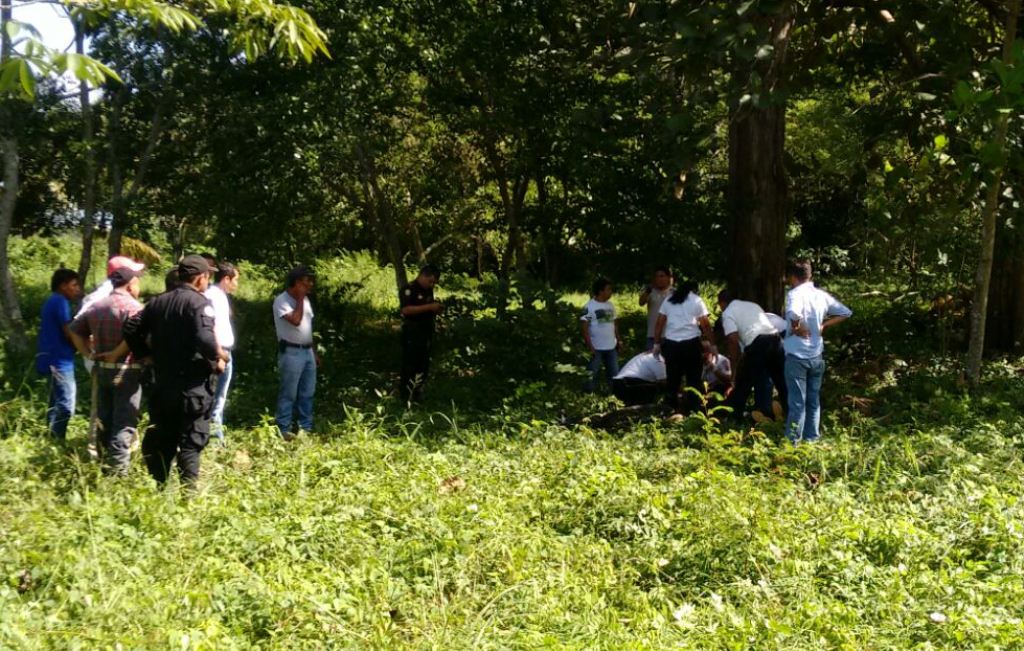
(177, 328)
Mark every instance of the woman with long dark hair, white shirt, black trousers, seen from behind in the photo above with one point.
(682, 320)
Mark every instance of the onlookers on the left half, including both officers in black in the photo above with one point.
(177, 354)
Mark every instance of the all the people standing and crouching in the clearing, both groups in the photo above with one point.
(177, 353)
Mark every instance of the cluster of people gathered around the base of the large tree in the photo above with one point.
(767, 354)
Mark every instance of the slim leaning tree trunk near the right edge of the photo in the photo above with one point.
(984, 275)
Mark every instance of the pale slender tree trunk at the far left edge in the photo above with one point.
(11, 312)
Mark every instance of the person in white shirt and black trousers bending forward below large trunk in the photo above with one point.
(750, 332)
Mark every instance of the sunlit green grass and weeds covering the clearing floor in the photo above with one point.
(904, 531)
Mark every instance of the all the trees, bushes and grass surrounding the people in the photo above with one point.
(527, 148)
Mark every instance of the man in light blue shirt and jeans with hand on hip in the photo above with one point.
(809, 312)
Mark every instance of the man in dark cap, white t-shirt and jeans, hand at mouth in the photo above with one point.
(293, 320)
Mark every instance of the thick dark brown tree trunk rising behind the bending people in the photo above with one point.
(758, 189)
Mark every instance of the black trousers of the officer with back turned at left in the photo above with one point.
(181, 429)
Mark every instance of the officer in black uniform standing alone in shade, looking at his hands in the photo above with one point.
(418, 312)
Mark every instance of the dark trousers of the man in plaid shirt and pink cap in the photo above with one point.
(119, 395)
